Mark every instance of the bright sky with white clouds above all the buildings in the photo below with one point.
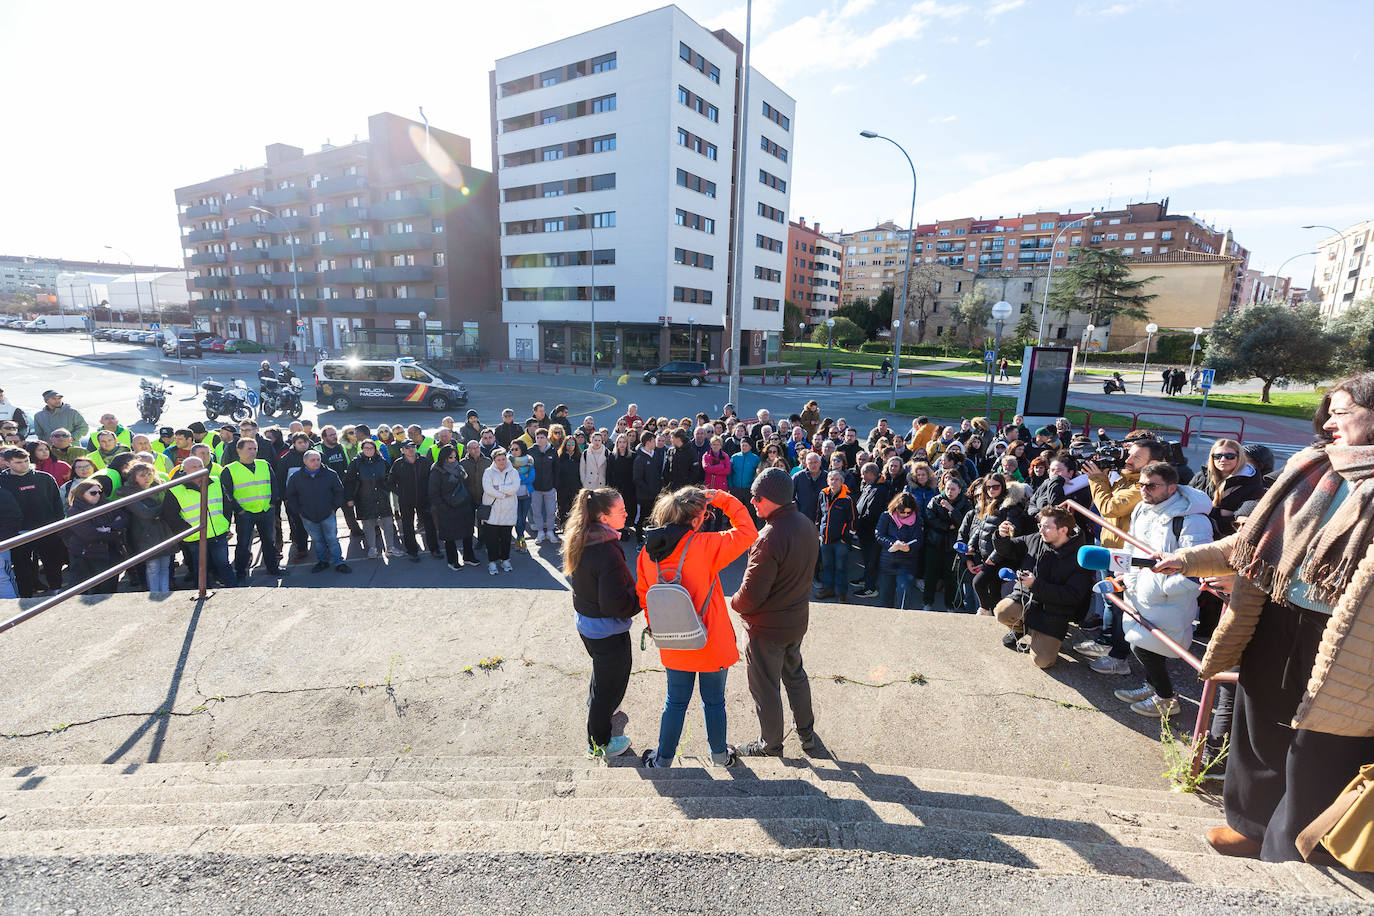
(1248, 115)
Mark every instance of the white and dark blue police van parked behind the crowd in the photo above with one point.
(401, 382)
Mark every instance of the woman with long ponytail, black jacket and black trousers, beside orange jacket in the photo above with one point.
(604, 605)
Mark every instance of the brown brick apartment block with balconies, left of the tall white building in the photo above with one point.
(374, 241)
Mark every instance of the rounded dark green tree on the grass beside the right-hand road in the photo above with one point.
(1272, 343)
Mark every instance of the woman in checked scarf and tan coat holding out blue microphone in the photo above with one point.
(1300, 627)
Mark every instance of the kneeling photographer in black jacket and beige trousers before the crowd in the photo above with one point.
(1052, 588)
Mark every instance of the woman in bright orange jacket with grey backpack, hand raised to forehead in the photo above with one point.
(677, 516)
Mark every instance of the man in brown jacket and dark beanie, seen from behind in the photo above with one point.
(774, 602)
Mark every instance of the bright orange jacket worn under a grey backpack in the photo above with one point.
(710, 553)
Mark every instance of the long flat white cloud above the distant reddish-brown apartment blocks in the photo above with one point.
(1077, 181)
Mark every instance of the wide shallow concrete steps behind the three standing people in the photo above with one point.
(560, 807)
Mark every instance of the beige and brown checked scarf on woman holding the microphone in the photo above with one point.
(1285, 539)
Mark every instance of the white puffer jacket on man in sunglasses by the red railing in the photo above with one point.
(1170, 602)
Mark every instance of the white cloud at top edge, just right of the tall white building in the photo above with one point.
(810, 45)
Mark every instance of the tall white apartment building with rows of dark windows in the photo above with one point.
(615, 159)
